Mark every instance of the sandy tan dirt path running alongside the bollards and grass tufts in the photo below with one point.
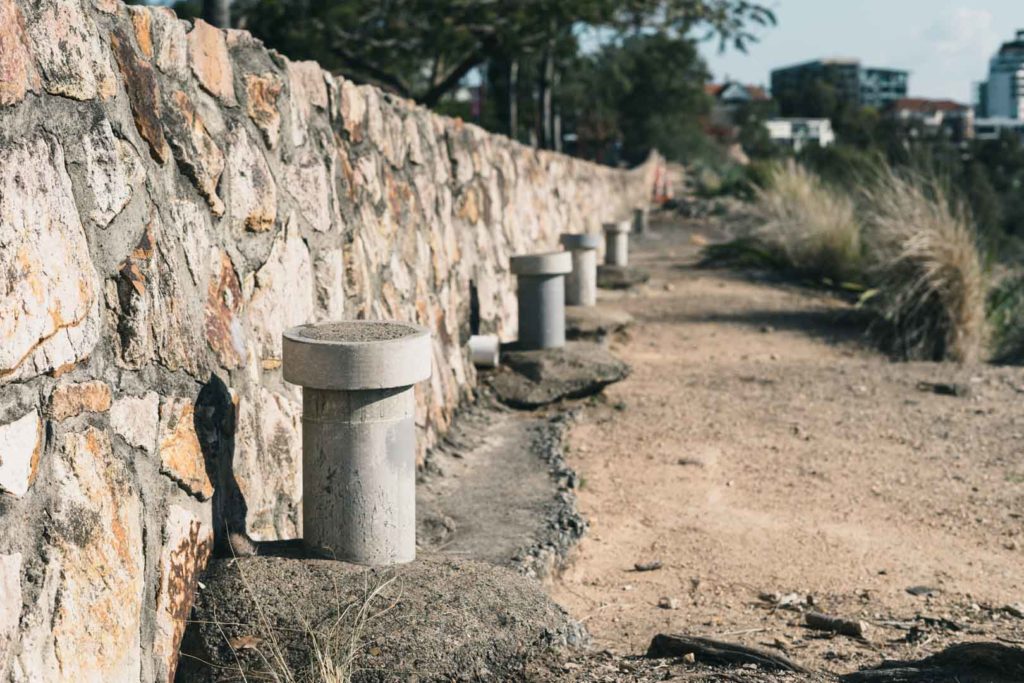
(760, 448)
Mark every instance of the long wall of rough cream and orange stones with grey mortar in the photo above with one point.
(173, 197)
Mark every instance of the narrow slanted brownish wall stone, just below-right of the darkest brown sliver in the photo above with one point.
(194, 149)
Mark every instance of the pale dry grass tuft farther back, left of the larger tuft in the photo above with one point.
(809, 226)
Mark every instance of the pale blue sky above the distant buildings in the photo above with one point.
(946, 45)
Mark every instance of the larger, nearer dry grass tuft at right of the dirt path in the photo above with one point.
(927, 268)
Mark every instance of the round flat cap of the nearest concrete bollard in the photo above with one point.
(357, 355)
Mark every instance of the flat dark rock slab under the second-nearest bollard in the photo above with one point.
(532, 379)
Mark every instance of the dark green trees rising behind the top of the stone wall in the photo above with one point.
(423, 50)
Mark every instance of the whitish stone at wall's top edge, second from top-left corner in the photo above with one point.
(73, 60)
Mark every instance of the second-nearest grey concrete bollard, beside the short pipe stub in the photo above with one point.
(542, 298)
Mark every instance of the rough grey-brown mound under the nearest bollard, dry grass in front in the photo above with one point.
(436, 619)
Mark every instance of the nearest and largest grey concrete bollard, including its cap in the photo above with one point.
(359, 436)
